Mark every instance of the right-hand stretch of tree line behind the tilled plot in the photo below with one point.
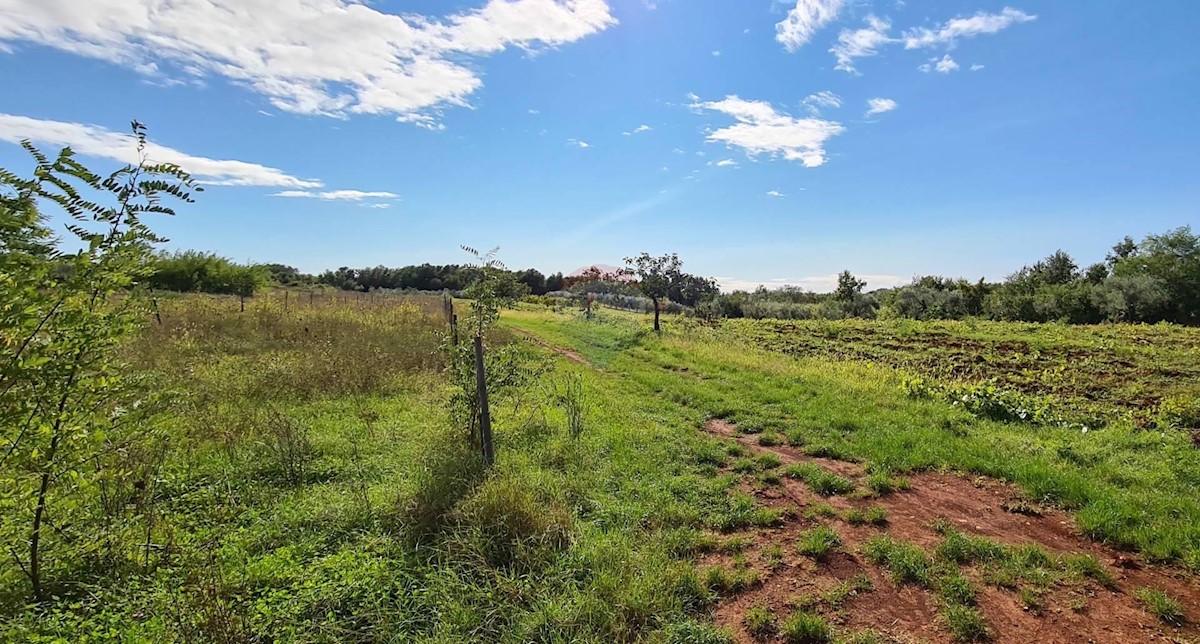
(1149, 281)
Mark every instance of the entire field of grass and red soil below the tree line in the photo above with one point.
(315, 489)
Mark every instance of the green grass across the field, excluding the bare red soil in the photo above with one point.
(381, 526)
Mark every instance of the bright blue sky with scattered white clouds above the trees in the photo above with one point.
(766, 142)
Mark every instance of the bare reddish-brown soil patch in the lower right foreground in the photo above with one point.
(1078, 612)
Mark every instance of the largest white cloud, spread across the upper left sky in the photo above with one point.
(310, 57)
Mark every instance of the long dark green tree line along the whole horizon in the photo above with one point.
(1149, 281)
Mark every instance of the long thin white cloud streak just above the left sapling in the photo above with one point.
(99, 142)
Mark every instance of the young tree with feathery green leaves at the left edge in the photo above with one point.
(71, 414)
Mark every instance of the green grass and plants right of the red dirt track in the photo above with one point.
(1129, 489)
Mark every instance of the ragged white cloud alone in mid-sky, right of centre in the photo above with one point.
(763, 130)
